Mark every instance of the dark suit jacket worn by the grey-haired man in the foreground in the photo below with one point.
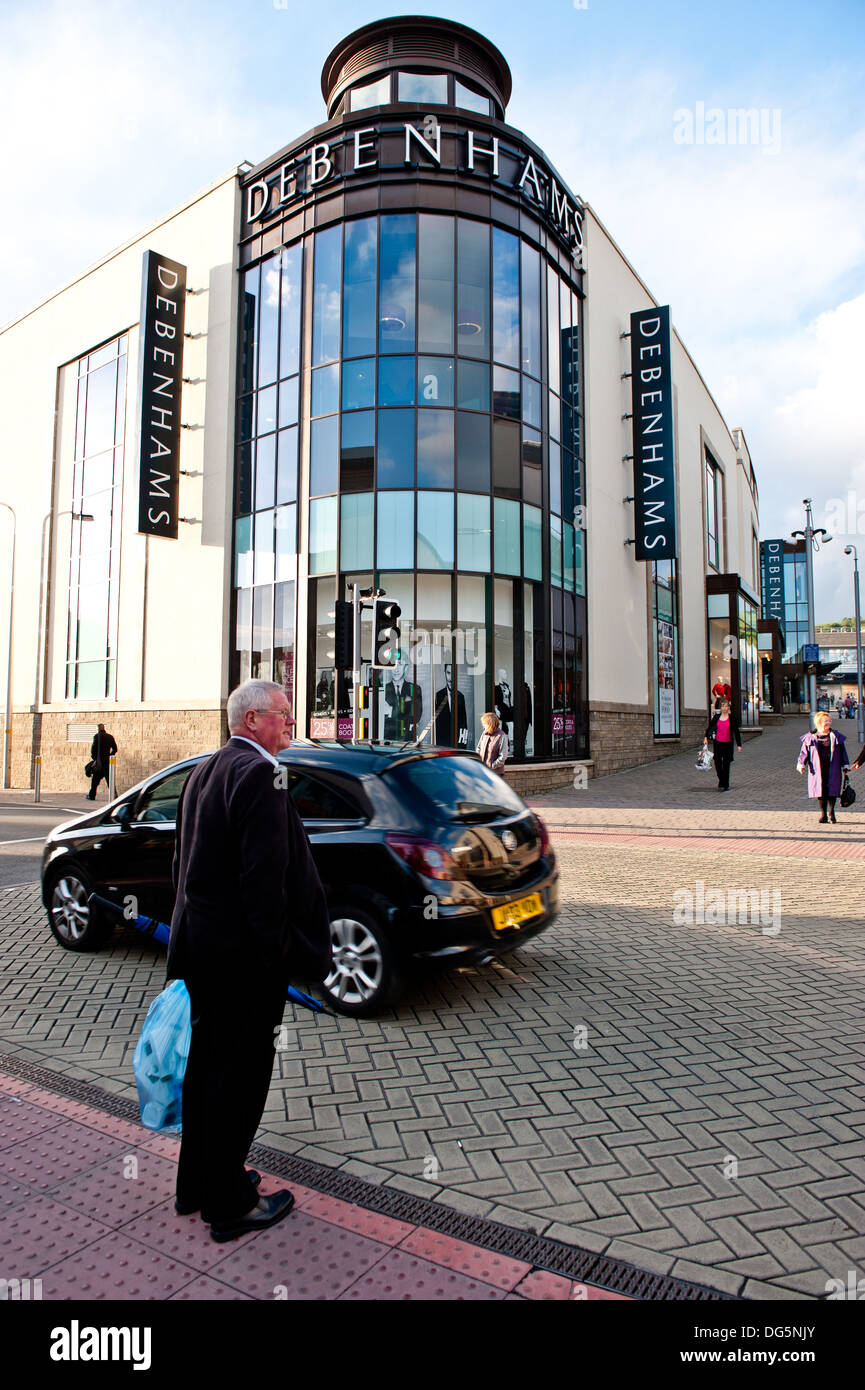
(250, 901)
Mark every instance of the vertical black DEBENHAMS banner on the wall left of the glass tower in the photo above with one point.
(162, 366)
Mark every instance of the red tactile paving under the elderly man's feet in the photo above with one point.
(87, 1204)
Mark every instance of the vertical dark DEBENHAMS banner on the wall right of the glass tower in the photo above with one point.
(654, 457)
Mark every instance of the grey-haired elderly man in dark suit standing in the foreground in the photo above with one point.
(250, 915)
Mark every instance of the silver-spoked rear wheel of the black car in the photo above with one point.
(365, 978)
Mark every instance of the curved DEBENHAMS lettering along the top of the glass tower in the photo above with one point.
(358, 152)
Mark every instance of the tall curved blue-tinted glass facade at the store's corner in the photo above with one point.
(410, 416)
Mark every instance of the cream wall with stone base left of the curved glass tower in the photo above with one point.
(175, 596)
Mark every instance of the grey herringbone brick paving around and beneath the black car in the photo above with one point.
(711, 1125)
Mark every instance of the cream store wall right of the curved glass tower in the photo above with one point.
(621, 657)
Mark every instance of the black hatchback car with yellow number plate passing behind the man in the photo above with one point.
(426, 857)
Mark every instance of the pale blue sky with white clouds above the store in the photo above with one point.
(116, 112)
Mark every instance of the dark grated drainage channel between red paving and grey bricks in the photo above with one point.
(540, 1252)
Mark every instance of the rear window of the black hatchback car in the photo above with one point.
(454, 789)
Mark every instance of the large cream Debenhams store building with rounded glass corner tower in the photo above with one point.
(400, 354)
